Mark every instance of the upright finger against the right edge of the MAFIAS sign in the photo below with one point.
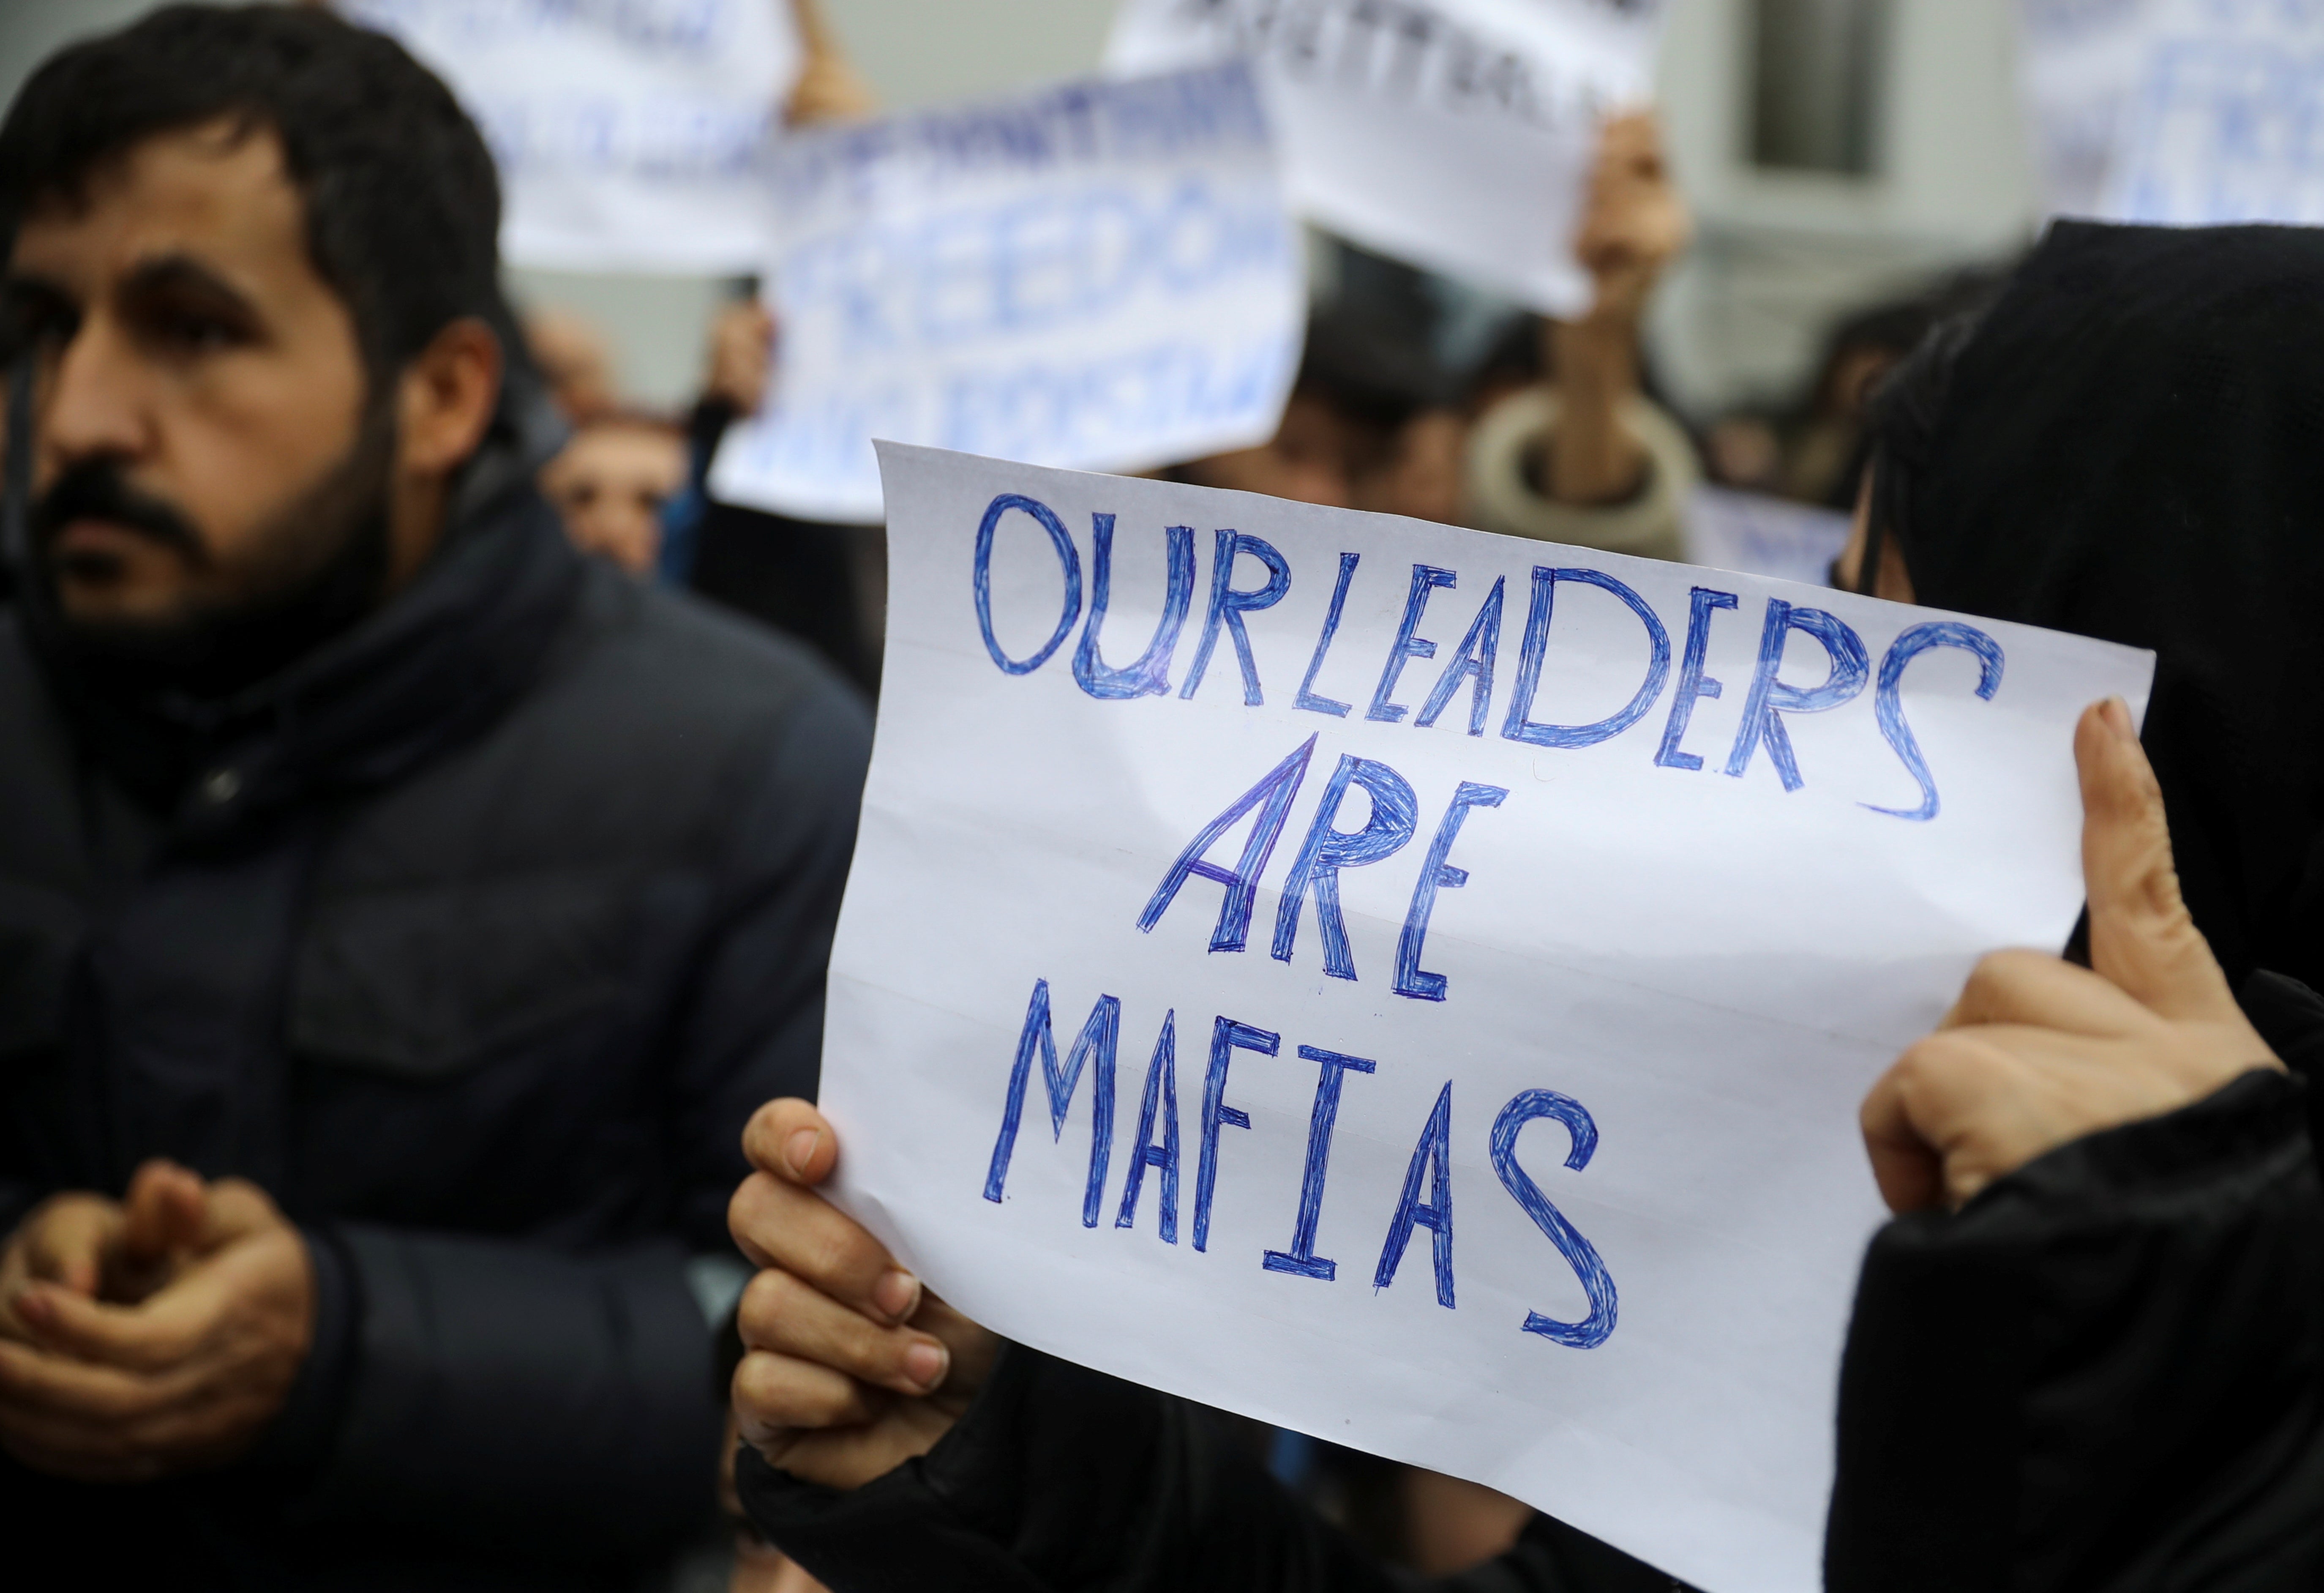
(2142, 936)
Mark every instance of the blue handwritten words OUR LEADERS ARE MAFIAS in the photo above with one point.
(1475, 666)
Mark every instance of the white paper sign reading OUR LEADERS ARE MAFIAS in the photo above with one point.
(1472, 955)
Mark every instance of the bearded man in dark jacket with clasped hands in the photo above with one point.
(399, 915)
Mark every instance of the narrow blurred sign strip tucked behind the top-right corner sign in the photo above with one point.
(2079, 64)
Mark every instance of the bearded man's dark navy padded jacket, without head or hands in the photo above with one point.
(473, 938)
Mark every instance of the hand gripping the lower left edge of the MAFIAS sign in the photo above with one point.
(852, 1366)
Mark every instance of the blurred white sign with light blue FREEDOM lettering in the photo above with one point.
(1093, 276)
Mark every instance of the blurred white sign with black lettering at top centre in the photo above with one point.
(1454, 134)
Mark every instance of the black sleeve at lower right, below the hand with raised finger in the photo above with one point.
(2102, 1373)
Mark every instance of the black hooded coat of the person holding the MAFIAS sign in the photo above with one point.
(2107, 1373)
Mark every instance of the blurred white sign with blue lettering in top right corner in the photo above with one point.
(2225, 117)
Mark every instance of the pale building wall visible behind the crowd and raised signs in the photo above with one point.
(1779, 257)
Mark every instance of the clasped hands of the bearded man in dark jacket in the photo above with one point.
(150, 1336)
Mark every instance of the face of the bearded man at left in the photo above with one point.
(203, 436)
